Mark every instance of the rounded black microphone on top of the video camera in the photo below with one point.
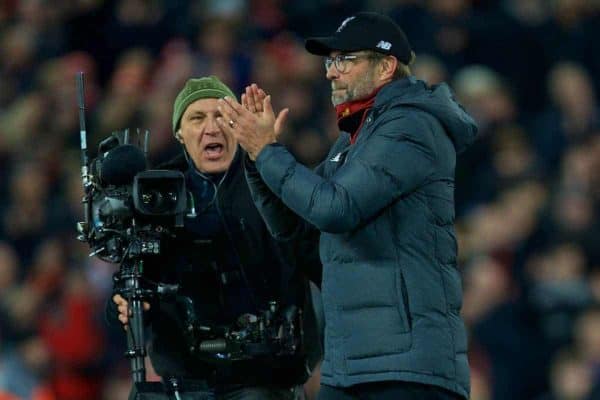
(122, 164)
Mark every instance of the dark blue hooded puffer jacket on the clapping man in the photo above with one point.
(385, 207)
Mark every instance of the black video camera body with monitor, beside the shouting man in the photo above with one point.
(129, 207)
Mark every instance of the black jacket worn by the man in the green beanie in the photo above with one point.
(240, 271)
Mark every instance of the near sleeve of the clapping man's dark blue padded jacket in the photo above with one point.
(398, 157)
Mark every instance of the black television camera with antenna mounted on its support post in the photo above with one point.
(123, 230)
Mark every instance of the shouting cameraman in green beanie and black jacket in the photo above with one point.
(225, 263)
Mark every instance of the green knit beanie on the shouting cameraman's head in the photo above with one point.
(208, 87)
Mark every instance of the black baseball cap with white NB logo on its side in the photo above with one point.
(364, 31)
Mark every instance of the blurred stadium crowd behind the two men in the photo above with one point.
(528, 191)
